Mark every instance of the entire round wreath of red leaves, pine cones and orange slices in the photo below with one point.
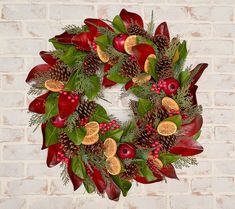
(93, 147)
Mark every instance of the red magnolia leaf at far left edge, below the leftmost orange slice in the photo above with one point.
(38, 104)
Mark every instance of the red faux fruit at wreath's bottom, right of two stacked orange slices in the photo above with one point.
(126, 151)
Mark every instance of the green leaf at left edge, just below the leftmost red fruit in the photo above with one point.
(51, 134)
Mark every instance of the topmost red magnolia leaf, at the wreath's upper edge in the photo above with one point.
(131, 18)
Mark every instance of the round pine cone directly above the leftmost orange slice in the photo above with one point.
(60, 72)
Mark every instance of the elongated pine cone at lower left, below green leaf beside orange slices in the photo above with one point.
(69, 148)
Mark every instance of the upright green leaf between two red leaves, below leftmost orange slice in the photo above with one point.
(51, 105)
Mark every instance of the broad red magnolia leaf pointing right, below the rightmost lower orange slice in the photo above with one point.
(186, 146)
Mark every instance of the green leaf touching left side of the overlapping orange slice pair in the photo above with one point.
(77, 135)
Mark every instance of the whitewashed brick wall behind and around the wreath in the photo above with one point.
(209, 27)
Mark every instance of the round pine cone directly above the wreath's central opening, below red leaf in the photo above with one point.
(130, 68)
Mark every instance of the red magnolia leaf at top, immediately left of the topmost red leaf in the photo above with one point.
(92, 23)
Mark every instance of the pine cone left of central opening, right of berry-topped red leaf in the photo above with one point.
(86, 109)
